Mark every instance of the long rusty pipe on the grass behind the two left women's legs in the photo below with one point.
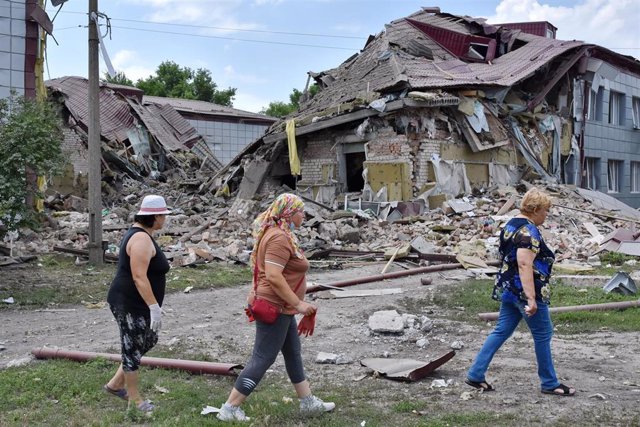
(193, 366)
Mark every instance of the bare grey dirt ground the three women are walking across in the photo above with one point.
(604, 366)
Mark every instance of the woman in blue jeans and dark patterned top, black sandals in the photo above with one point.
(522, 287)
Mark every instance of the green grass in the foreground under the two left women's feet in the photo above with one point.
(60, 392)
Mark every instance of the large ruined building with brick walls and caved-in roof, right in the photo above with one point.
(438, 105)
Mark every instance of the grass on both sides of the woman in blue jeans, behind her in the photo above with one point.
(474, 296)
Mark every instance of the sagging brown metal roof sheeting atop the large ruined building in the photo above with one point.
(388, 62)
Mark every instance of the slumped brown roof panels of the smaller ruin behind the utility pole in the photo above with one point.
(138, 139)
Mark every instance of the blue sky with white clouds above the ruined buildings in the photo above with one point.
(264, 48)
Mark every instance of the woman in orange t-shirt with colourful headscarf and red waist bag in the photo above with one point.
(280, 276)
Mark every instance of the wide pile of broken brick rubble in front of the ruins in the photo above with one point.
(206, 228)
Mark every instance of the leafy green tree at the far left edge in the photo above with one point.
(30, 141)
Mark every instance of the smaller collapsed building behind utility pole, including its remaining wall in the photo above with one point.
(138, 139)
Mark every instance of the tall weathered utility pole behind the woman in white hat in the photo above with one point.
(96, 254)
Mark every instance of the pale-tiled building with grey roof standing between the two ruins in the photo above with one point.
(226, 130)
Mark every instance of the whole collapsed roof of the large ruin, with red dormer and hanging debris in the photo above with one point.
(432, 60)
